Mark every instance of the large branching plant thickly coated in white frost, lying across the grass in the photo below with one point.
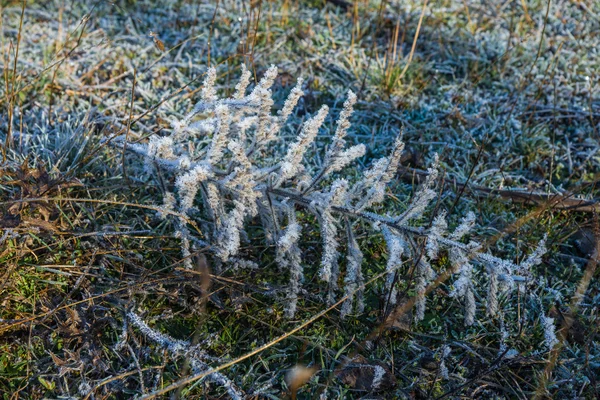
(229, 170)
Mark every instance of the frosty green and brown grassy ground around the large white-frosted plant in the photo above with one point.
(506, 93)
